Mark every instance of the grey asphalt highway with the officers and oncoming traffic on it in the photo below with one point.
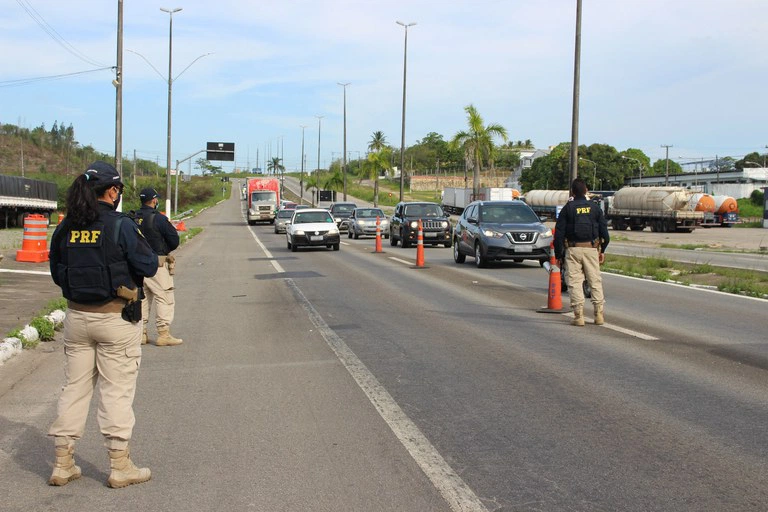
(352, 380)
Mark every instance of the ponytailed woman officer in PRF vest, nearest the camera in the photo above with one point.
(99, 259)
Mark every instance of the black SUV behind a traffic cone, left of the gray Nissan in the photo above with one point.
(403, 226)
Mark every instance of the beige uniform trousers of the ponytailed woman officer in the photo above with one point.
(105, 350)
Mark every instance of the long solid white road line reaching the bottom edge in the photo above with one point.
(450, 485)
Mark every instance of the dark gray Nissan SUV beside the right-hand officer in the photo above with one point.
(500, 230)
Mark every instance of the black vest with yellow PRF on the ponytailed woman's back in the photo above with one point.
(92, 264)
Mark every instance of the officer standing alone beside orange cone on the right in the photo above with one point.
(582, 228)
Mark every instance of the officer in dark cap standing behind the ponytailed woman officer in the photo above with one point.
(163, 238)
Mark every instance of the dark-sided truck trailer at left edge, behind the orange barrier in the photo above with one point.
(20, 197)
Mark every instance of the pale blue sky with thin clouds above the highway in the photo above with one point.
(688, 73)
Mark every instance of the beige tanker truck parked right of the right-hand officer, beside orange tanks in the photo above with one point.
(663, 209)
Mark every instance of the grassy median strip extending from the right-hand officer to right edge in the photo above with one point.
(738, 281)
